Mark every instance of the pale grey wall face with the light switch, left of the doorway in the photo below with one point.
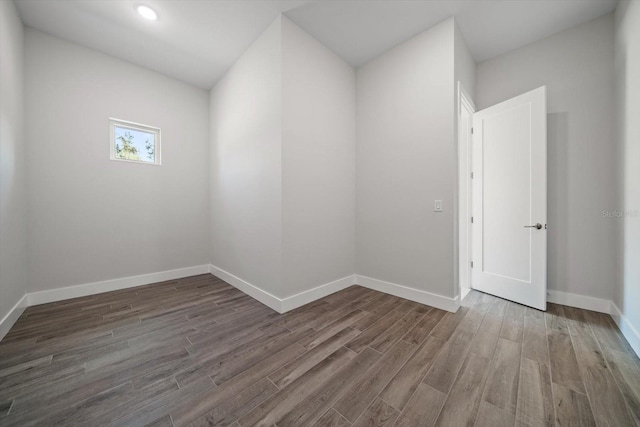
(405, 160)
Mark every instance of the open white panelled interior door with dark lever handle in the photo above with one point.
(509, 232)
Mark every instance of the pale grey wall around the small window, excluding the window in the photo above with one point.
(91, 218)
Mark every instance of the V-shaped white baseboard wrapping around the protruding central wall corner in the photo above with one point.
(282, 305)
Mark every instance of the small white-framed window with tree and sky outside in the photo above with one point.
(133, 142)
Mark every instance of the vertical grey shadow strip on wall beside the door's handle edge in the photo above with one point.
(558, 200)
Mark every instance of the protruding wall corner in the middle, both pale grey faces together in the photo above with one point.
(282, 165)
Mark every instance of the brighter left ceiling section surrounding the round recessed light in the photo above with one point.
(193, 41)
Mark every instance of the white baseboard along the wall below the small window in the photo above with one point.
(69, 292)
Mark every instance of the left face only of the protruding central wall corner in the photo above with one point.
(246, 163)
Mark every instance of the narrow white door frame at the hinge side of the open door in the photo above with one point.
(463, 228)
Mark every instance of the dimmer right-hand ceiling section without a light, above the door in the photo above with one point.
(359, 31)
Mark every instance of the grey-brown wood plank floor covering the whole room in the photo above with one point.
(198, 352)
